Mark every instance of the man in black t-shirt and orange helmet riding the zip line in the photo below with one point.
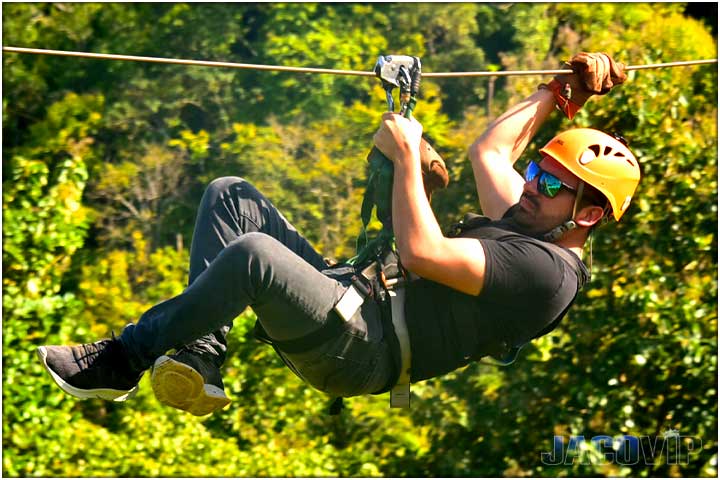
(501, 281)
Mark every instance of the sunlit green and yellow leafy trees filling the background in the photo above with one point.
(104, 164)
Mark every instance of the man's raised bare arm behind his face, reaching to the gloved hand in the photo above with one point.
(494, 153)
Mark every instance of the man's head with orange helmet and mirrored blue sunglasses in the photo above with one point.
(583, 175)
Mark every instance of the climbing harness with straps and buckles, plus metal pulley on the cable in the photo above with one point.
(375, 270)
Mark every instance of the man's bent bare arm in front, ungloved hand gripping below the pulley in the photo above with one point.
(456, 262)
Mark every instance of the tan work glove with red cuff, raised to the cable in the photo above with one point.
(594, 74)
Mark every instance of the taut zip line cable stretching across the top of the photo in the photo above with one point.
(250, 66)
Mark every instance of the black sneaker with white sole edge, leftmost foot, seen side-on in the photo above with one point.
(92, 370)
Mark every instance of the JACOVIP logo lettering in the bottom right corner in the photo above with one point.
(671, 448)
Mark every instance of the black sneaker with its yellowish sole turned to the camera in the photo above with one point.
(189, 381)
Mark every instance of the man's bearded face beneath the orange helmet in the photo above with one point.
(537, 213)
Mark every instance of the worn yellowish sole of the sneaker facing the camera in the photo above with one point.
(180, 386)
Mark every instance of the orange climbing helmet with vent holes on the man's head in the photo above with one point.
(599, 160)
